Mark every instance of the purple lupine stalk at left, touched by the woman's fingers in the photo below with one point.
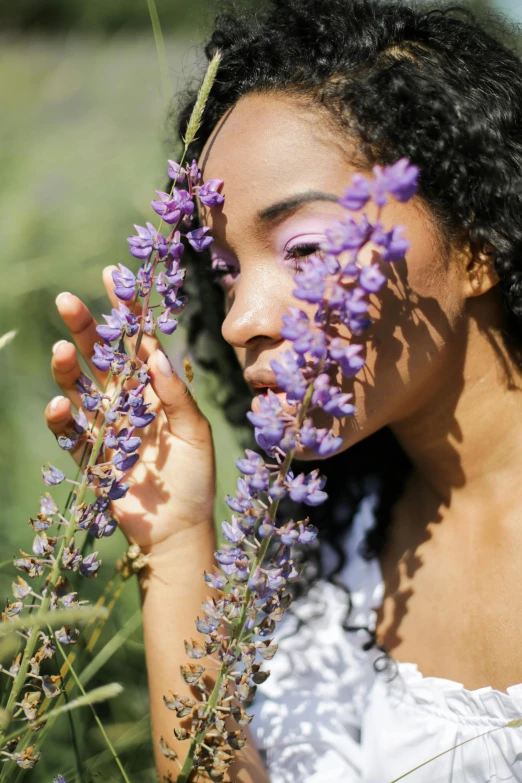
(114, 449)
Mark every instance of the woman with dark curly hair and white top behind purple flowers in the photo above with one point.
(430, 554)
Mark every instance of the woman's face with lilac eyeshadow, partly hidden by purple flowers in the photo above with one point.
(283, 171)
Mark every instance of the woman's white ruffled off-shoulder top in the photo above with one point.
(325, 715)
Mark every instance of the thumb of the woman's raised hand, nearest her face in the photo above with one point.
(183, 415)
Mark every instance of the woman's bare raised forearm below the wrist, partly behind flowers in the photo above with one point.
(173, 589)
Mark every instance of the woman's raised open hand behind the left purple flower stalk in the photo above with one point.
(172, 486)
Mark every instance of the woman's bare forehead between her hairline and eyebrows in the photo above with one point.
(269, 147)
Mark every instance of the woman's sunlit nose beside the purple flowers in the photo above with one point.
(255, 314)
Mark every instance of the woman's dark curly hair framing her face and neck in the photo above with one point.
(437, 85)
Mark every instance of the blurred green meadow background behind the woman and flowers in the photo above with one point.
(83, 145)
